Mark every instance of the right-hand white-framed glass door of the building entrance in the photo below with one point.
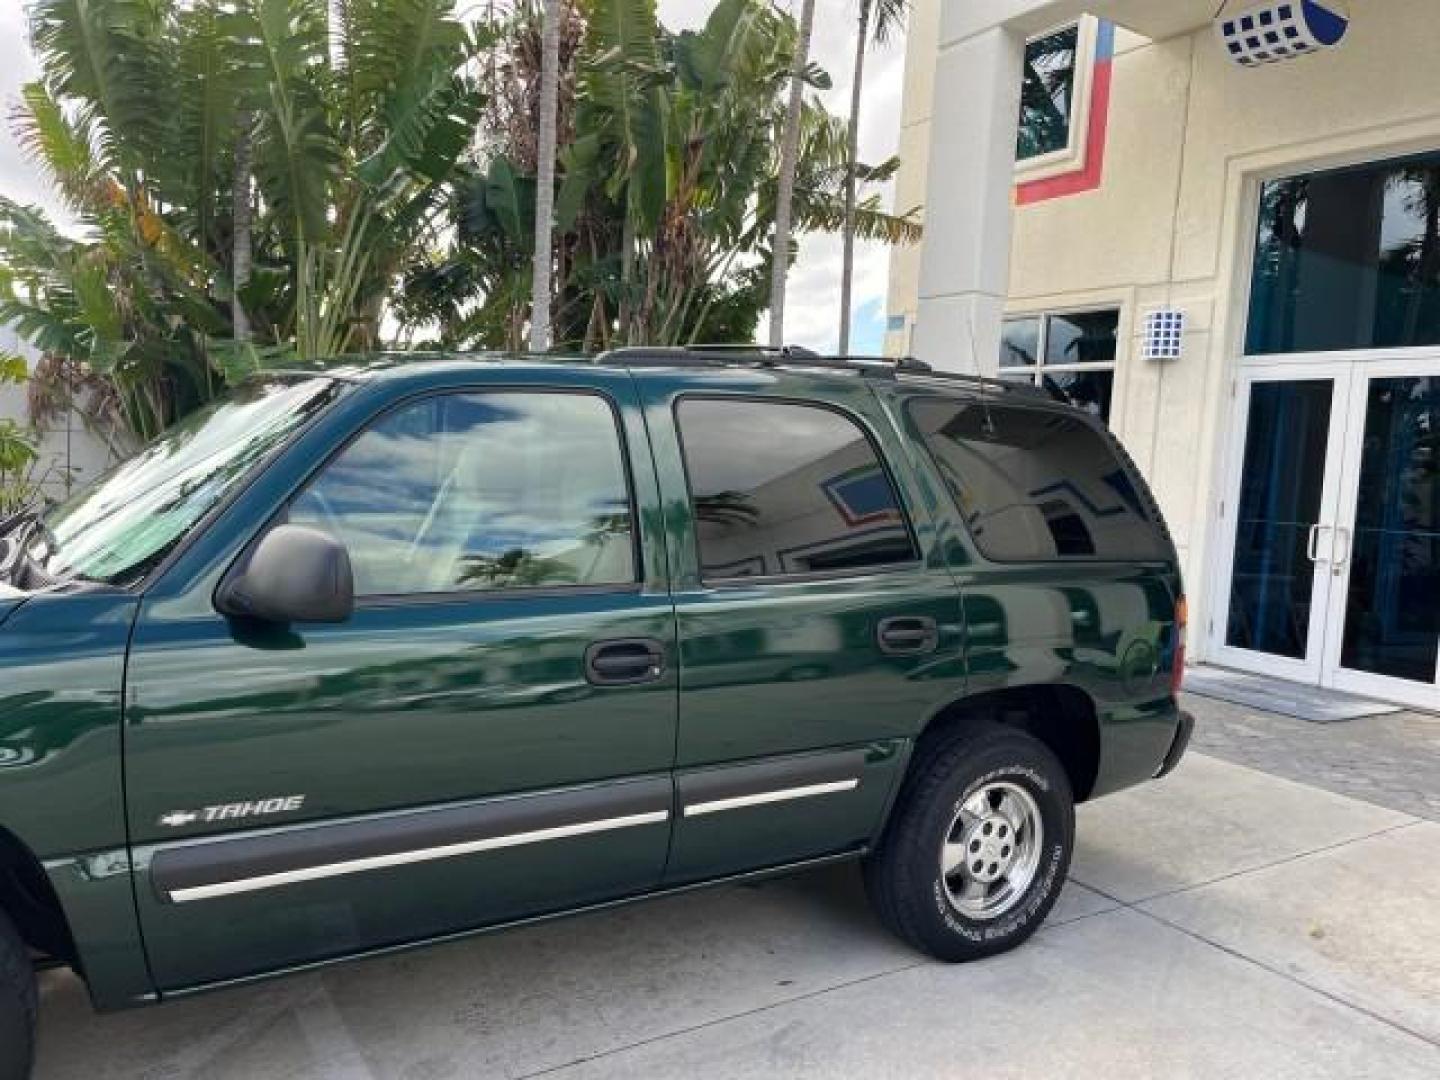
(1385, 574)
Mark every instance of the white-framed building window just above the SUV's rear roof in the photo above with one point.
(1072, 352)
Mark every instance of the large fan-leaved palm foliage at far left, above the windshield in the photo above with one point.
(140, 117)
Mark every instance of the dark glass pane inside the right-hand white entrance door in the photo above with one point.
(1393, 608)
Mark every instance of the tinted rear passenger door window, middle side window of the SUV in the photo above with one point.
(784, 489)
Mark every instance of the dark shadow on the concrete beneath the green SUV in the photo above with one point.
(506, 1003)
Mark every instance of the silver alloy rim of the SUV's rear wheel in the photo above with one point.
(991, 850)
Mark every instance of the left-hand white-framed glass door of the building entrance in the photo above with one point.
(1281, 536)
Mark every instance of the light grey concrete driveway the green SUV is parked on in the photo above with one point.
(1225, 922)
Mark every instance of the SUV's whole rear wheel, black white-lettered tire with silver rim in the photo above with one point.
(977, 847)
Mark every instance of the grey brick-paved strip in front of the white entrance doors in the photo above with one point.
(1392, 761)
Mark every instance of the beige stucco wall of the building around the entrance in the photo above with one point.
(1190, 138)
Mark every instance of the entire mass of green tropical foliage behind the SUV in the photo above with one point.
(261, 182)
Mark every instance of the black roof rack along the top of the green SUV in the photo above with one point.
(797, 356)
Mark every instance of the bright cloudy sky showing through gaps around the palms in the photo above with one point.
(814, 292)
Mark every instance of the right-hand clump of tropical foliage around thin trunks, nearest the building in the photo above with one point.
(666, 202)
